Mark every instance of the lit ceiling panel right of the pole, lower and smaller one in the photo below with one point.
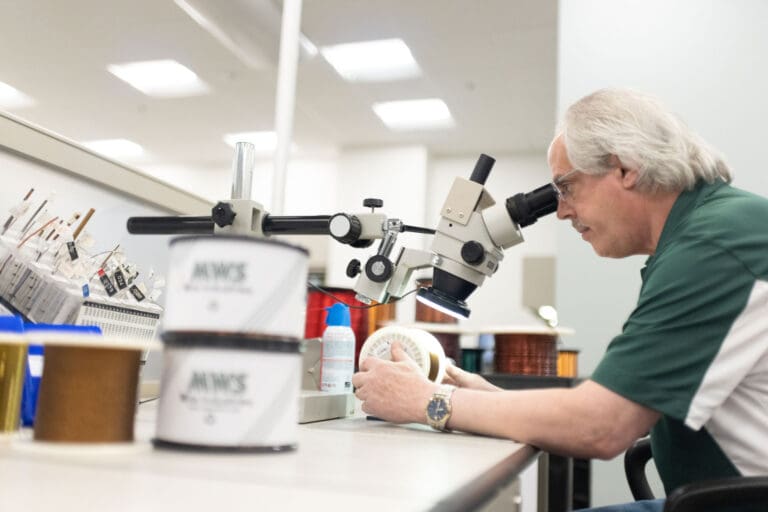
(423, 114)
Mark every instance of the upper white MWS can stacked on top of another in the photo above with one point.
(236, 284)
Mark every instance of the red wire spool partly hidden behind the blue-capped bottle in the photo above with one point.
(316, 314)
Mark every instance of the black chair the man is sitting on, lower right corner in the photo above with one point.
(737, 493)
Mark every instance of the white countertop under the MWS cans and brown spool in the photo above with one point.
(349, 464)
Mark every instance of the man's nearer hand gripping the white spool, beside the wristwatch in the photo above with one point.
(396, 390)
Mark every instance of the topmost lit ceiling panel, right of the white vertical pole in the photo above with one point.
(372, 61)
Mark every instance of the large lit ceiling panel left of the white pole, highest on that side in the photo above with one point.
(160, 78)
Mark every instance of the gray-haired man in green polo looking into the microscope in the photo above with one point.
(691, 364)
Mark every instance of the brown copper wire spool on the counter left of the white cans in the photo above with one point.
(88, 394)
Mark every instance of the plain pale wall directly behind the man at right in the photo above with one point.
(704, 59)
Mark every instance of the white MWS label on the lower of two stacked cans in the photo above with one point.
(229, 398)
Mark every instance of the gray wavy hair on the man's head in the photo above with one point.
(643, 135)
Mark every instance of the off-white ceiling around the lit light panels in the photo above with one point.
(492, 61)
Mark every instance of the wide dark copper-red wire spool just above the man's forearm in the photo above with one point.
(526, 354)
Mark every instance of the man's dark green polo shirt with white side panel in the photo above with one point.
(695, 348)
